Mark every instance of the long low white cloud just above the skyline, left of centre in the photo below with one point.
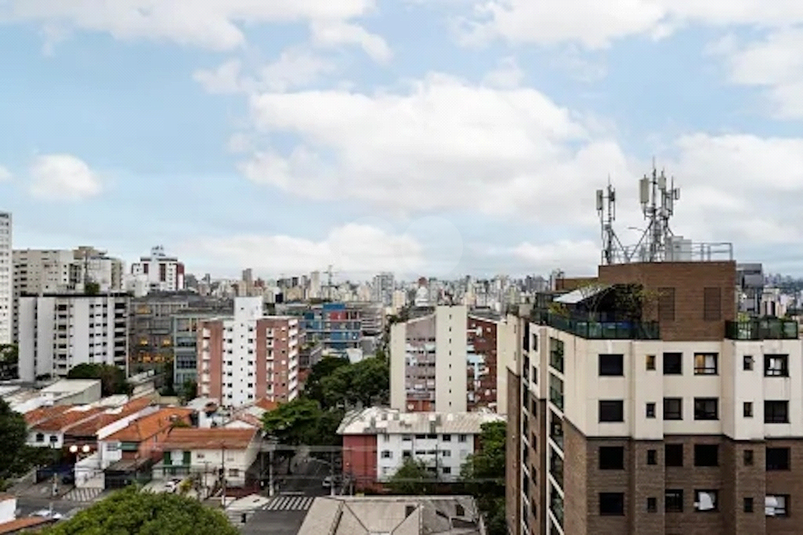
(353, 248)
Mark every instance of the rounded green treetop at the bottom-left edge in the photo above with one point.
(132, 512)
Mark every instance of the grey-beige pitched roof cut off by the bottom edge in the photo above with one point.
(408, 515)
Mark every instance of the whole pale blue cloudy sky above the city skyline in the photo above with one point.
(434, 137)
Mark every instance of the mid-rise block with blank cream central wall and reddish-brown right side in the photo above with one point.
(448, 360)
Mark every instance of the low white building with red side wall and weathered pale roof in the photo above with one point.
(379, 440)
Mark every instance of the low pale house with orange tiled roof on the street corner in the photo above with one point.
(213, 456)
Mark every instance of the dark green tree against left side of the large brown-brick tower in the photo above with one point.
(484, 475)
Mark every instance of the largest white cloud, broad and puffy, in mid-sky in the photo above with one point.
(440, 144)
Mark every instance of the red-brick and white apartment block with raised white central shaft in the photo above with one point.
(249, 356)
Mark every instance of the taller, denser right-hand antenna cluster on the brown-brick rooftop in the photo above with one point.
(657, 198)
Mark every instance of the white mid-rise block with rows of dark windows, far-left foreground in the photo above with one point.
(60, 331)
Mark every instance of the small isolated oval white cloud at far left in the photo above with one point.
(62, 177)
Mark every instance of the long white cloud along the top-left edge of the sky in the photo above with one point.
(214, 24)
